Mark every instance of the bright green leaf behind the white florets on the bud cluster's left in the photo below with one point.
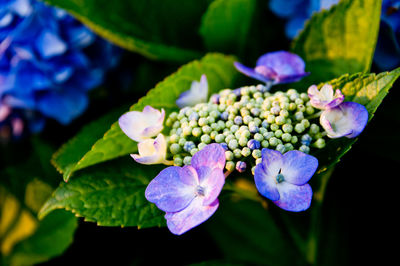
(220, 74)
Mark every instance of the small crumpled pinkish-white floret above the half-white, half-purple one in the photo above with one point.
(324, 98)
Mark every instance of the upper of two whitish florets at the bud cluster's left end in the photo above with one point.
(143, 125)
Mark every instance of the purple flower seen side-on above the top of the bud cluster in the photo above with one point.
(275, 68)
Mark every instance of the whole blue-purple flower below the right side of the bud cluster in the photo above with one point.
(283, 178)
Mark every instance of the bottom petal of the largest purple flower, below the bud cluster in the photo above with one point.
(195, 214)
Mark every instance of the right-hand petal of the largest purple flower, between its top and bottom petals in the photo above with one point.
(212, 180)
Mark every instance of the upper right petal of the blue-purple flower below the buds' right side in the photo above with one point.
(298, 167)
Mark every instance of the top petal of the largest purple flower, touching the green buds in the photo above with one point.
(211, 156)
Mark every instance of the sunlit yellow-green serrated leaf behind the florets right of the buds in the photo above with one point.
(366, 89)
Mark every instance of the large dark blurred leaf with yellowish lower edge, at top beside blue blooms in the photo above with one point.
(164, 30)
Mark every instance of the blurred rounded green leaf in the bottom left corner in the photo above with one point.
(52, 237)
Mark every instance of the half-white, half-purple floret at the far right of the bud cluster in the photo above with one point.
(345, 120)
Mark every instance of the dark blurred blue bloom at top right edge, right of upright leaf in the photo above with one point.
(387, 53)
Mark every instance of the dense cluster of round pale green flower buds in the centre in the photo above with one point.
(244, 121)
